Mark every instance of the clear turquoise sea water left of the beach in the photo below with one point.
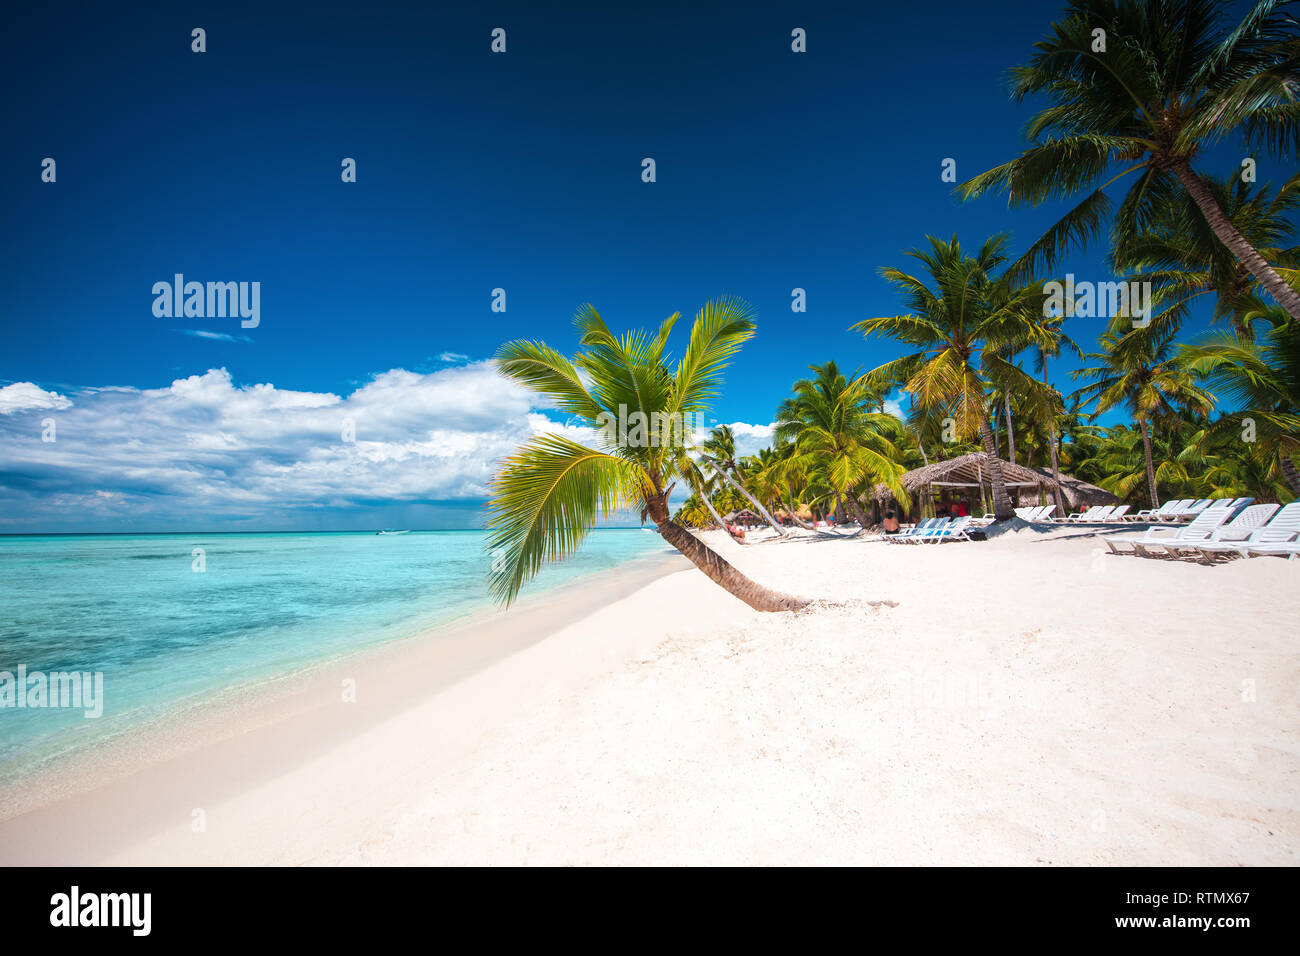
(164, 635)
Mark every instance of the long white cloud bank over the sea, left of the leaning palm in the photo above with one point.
(207, 447)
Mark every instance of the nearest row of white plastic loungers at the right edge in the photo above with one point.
(1224, 529)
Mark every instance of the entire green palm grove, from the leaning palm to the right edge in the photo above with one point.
(1126, 98)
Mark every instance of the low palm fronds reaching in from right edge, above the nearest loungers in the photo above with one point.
(1264, 379)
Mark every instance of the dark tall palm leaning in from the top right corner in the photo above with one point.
(1143, 86)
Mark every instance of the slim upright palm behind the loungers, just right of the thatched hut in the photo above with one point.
(1142, 371)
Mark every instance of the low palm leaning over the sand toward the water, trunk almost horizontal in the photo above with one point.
(553, 491)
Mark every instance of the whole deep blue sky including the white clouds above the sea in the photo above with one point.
(475, 172)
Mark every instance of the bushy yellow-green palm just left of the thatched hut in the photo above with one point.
(830, 421)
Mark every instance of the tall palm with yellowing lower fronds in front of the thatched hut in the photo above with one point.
(964, 323)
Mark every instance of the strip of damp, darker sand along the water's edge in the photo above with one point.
(302, 710)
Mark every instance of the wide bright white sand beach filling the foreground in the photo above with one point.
(1030, 700)
